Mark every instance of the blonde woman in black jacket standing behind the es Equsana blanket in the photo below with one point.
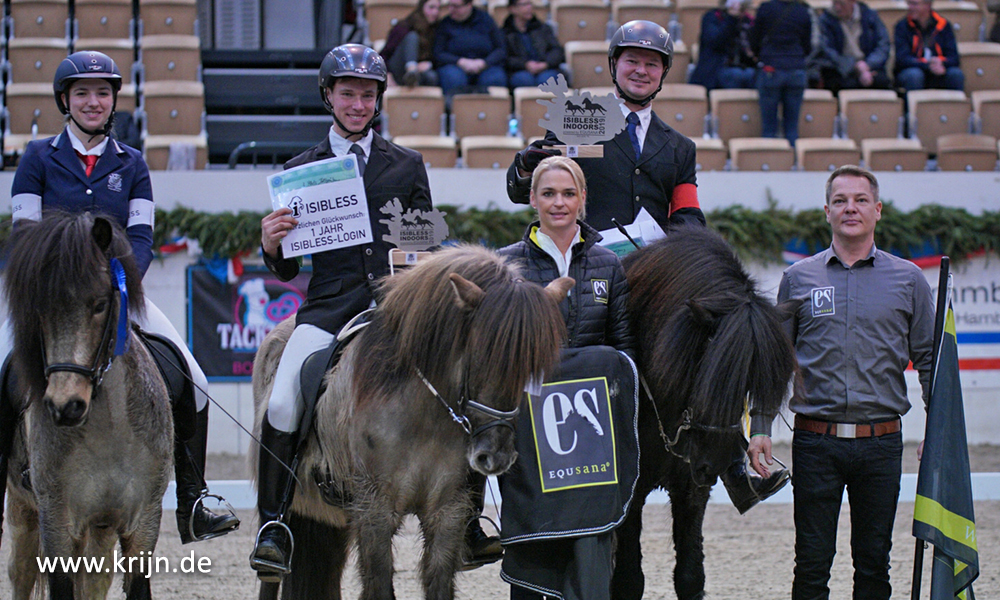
(574, 564)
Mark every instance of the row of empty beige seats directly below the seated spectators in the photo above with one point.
(725, 114)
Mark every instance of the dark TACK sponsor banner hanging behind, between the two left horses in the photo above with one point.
(228, 322)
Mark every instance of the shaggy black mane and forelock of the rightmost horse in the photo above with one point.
(691, 291)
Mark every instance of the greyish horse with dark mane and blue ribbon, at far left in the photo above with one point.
(97, 433)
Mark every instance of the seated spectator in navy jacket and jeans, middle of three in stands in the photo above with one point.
(469, 50)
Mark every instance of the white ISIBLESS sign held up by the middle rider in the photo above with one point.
(328, 199)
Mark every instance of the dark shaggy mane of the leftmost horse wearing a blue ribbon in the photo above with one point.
(51, 264)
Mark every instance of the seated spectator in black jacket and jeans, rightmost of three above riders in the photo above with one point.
(533, 52)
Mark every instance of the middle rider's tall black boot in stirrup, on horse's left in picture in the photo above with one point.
(272, 553)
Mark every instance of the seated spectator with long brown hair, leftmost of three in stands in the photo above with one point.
(409, 50)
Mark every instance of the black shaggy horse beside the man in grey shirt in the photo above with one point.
(707, 343)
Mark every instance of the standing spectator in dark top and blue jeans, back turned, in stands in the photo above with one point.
(781, 37)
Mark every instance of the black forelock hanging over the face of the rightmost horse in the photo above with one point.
(748, 356)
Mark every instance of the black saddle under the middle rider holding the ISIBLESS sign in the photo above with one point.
(312, 379)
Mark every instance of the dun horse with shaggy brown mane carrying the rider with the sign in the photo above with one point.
(426, 391)
